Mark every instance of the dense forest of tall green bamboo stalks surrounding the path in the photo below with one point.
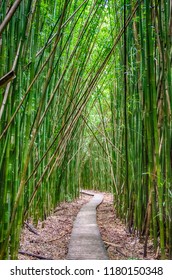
(86, 103)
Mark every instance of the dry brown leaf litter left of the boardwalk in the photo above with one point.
(54, 232)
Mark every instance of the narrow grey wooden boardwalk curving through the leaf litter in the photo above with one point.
(86, 242)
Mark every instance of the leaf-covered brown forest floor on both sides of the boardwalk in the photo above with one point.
(53, 234)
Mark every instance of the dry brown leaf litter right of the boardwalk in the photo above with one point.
(120, 244)
